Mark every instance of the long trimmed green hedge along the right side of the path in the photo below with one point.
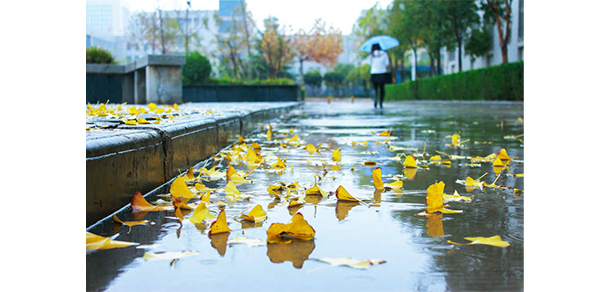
(503, 82)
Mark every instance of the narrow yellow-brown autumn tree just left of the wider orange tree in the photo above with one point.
(275, 47)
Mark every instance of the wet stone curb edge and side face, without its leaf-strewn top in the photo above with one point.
(127, 159)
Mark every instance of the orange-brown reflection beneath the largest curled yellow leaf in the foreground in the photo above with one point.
(296, 252)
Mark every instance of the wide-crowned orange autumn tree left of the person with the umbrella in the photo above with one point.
(319, 45)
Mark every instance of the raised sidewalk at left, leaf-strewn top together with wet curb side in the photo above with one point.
(125, 155)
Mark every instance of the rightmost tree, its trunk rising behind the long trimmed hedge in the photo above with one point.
(500, 12)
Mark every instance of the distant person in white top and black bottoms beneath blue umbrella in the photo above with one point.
(379, 61)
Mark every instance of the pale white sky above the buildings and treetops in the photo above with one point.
(341, 14)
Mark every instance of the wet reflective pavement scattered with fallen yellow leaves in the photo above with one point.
(415, 248)
